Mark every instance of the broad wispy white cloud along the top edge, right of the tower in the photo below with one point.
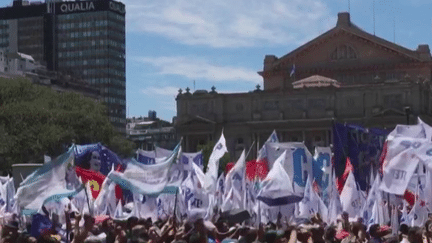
(227, 23)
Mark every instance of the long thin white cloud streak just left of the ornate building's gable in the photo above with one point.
(194, 68)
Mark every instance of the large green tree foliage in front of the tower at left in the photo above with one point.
(35, 120)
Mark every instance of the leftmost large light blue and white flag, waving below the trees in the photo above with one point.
(48, 183)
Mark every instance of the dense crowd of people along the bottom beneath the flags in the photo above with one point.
(85, 228)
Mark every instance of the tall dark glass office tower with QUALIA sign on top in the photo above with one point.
(84, 39)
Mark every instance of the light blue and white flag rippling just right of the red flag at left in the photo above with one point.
(148, 179)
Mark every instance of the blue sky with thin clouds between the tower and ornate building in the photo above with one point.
(172, 43)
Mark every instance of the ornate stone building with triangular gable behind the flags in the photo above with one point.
(345, 74)
